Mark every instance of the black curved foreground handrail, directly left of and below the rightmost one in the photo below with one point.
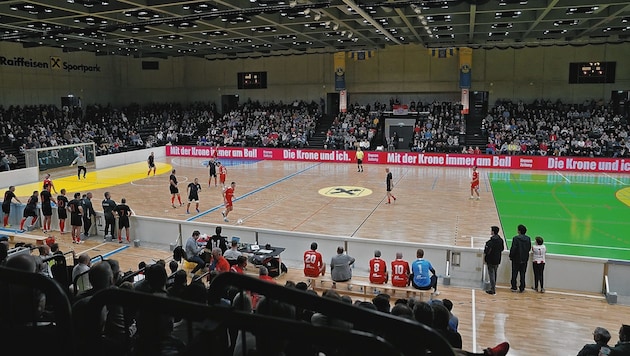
(274, 328)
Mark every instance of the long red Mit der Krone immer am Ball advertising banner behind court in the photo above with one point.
(553, 163)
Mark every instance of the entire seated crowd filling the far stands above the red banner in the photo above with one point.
(513, 128)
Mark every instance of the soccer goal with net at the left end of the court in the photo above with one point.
(59, 156)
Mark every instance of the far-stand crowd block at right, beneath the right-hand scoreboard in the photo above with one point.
(590, 129)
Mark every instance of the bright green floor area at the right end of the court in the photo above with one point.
(576, 214)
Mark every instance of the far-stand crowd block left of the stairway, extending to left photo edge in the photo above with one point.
(115, 129)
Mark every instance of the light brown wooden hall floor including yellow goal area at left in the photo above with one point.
(432, 206)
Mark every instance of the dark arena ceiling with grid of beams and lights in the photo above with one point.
(253, 28)
